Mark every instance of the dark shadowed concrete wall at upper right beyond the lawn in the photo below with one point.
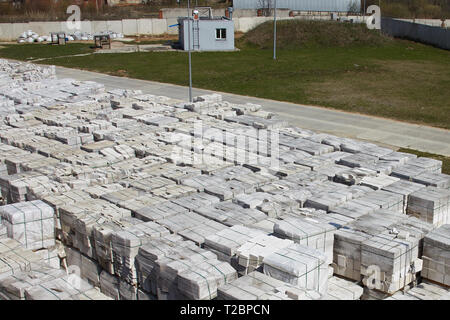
(436, 36)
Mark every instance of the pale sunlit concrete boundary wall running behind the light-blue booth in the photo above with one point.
(131, 27)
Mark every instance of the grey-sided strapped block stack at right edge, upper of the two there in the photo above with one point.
(431, 205)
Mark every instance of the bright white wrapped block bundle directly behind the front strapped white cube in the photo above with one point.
(308, 231)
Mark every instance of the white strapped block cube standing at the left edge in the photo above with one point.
(31, 223)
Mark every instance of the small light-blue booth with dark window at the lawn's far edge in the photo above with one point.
(204, 32)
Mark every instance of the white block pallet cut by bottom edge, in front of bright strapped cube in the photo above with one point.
(258, 286)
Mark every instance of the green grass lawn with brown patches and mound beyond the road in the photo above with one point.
(359, 72)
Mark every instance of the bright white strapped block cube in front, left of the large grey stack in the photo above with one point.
(300, 266)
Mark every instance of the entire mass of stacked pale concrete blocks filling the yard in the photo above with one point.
(142, 196)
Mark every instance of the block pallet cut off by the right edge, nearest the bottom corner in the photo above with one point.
(436, 256)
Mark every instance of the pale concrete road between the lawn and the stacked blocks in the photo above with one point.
(379, 130)
